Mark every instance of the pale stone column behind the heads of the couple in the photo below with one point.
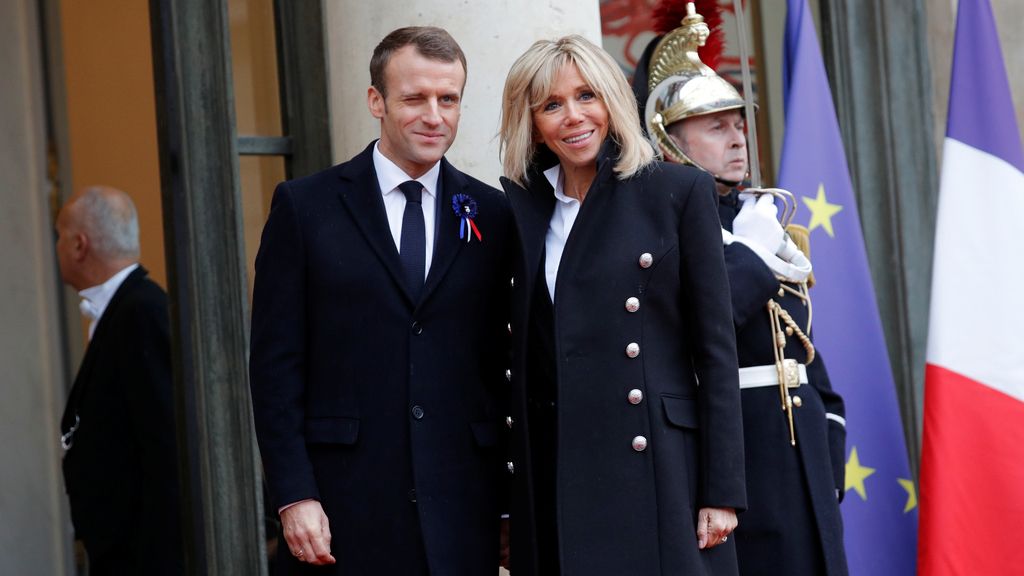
(493, 34)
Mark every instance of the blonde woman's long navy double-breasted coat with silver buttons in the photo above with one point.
(621, 511)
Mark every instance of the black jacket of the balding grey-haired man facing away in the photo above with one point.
(121, 471)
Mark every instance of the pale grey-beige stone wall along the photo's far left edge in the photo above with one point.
(35, 526)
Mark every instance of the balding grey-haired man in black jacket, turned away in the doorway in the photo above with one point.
(118, 429)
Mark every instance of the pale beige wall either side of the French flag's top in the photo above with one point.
(942, 23)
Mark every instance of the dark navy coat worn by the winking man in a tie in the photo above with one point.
(385, 409)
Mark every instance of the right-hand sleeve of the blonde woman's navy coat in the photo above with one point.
(707, 300)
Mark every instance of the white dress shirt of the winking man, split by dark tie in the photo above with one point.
(390, 176)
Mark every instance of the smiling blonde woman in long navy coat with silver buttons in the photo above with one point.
(623, 465)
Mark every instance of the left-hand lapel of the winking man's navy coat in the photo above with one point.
(362, 196)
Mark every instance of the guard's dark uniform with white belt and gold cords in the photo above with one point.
(793, 525)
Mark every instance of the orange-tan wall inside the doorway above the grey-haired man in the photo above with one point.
(112, 118)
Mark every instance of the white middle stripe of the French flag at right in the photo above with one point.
(977, 310)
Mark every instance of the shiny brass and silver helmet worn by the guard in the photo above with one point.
(682, 87)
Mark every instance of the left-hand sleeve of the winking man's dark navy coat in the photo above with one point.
(277, 362)
